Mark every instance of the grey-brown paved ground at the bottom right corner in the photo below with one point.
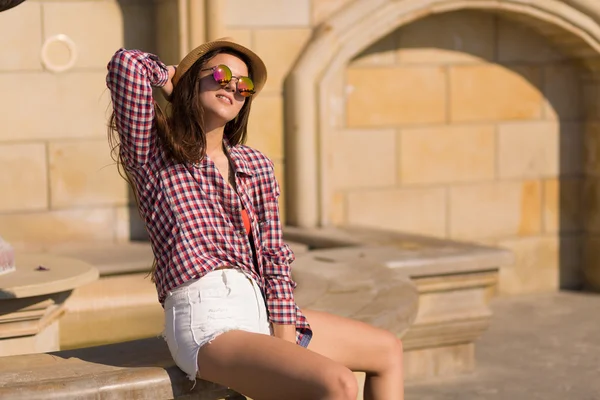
(538, 347)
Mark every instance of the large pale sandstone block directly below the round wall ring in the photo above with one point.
(72, 105)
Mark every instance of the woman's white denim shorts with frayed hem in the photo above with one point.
(200, 310)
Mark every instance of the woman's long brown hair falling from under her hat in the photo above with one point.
(180, 129)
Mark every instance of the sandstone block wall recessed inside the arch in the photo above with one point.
(468, 126)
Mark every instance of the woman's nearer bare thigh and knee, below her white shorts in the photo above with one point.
(264, 367)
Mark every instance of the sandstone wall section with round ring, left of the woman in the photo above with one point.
(58, 181)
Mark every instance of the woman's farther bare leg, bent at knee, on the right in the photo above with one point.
(361, 347)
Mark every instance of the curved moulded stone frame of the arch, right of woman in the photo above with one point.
(571, 25)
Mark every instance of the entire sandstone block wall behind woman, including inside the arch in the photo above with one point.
(463, 125)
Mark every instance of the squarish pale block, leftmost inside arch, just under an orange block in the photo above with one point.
(363, 159)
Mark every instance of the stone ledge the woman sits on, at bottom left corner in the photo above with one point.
(140, 369)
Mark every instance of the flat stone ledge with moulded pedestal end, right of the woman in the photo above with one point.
(454, 280)
